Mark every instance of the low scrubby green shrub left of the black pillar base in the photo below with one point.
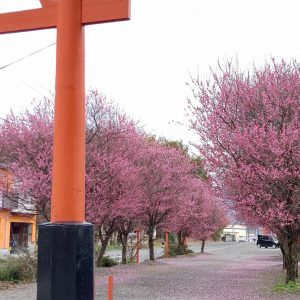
(18, 269)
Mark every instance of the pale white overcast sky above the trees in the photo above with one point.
(143, 64)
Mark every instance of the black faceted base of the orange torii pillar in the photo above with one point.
(65, 261)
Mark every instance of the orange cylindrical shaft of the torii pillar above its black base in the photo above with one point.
(68, 188)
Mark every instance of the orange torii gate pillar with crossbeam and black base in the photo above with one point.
(66, 244)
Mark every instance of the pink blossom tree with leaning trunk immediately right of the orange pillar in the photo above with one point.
(110, 194)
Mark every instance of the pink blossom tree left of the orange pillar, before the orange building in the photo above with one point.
(26, 150)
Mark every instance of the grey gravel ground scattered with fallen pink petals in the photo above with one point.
(230, 271)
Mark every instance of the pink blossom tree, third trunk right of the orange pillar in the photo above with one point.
(164, 173)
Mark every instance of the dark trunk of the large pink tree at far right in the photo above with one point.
(289, 250)
